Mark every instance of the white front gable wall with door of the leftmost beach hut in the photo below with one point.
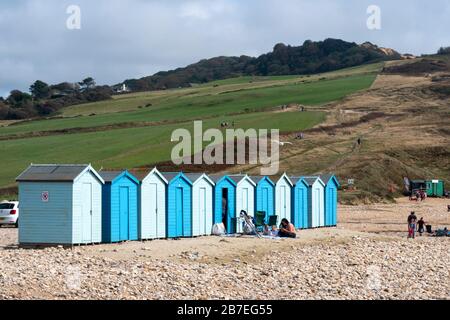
(87, 209)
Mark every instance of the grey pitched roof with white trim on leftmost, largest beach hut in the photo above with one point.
(56, 173)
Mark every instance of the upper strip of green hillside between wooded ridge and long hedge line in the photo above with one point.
(189, 104)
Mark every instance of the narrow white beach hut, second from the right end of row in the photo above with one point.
(316, 201)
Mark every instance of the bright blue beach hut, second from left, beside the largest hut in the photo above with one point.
(120, 206)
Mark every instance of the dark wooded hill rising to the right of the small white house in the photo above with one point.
(309, 58)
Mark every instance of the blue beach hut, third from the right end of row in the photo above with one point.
(301, 214)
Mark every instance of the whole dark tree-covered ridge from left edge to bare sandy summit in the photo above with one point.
(311, 58)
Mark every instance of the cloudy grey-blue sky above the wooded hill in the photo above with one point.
(121, 39)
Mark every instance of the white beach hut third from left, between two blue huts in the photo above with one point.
(152, 202)
